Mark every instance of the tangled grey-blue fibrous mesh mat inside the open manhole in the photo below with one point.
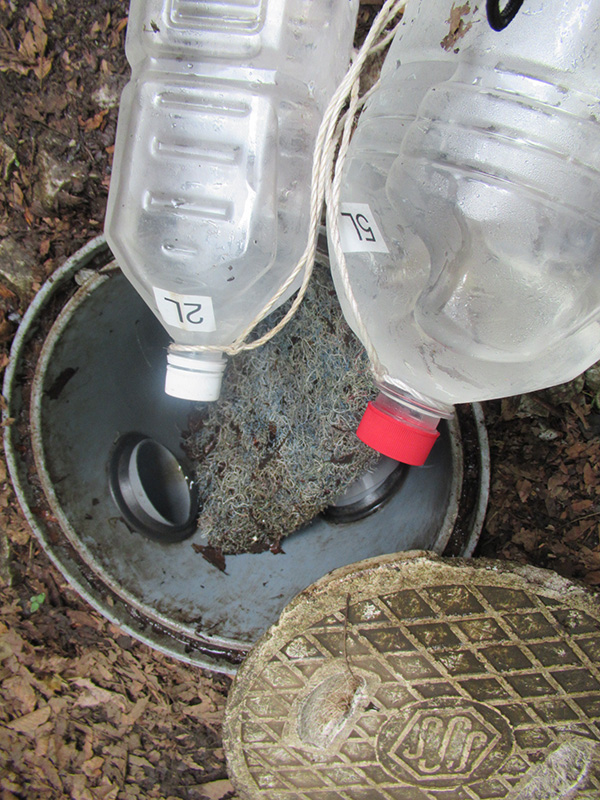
(280, 444)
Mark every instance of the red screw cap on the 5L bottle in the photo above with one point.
(394, 438)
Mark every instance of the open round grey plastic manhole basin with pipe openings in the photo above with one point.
(86, 387)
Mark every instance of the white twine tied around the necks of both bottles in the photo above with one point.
(325, 187)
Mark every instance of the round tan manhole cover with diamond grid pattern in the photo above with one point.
(415, 678)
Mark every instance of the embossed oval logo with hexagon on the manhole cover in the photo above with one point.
(443, 743)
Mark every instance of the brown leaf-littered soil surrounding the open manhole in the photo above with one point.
(87, 712)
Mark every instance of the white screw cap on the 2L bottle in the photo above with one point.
(193, 378)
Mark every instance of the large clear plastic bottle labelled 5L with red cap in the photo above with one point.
(470, 213)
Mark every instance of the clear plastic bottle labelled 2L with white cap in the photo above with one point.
(209, 201)
